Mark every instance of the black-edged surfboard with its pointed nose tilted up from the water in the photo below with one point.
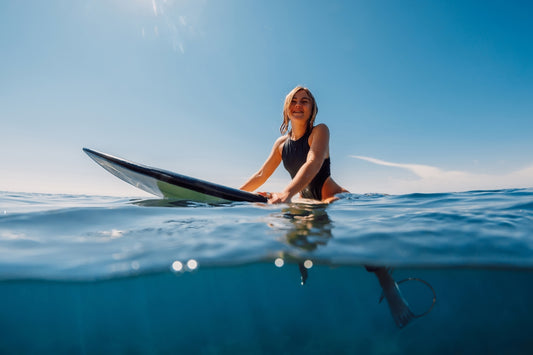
(167, 184)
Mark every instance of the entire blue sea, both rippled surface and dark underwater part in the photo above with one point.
(86, 274)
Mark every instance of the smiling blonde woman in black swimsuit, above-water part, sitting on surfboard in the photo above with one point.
(304, 150)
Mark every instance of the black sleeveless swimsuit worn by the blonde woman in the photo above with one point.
(294, 155)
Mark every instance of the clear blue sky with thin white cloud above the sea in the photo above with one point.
(419, 96)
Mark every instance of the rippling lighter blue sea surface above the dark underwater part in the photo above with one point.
(87, 237)
